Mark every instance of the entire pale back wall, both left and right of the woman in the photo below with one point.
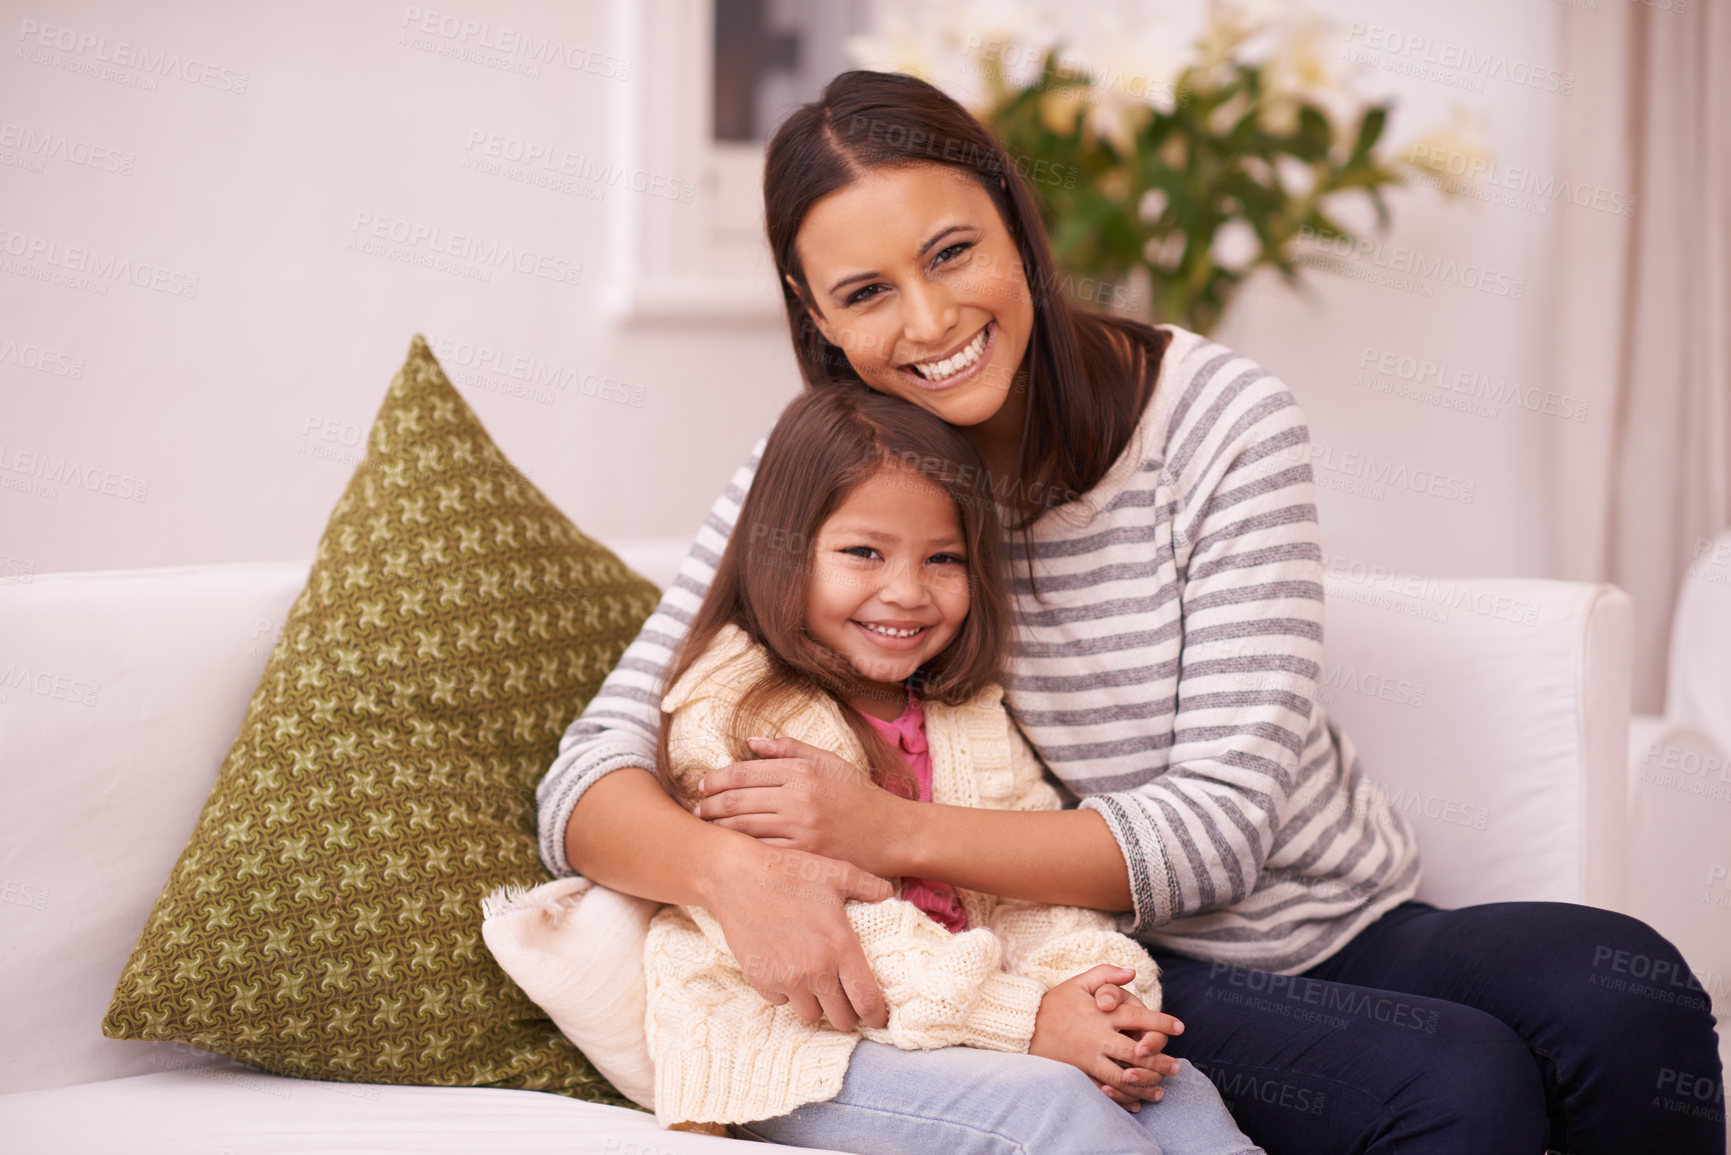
(209, 399)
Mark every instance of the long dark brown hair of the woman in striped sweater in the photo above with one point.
(1088, 375)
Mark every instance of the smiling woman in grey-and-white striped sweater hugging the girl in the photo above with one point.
(1171, 603)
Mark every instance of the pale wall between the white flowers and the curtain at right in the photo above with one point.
(1474, 501)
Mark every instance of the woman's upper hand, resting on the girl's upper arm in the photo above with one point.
(804, 799)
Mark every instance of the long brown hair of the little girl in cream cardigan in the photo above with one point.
(825, 446)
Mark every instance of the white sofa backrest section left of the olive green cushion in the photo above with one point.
(120, 695)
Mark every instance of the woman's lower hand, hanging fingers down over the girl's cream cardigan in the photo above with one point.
(783, 917)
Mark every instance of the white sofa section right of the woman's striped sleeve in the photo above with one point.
(1495, 714)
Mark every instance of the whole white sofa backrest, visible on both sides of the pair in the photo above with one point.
(122, 692)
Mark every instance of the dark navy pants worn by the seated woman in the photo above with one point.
(1507, 1028)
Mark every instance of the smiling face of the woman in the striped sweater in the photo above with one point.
(917, 278)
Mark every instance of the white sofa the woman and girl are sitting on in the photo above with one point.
(1495, 713)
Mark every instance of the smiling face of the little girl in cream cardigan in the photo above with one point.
(889, 583)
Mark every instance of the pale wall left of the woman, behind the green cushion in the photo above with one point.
(209, 399)
